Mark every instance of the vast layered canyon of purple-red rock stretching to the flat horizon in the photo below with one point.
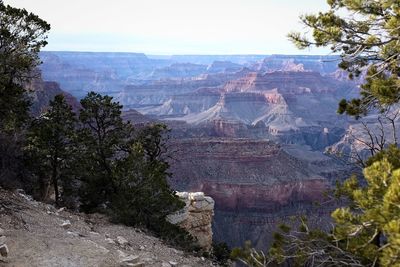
(248, 131)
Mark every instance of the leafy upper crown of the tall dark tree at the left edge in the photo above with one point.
(22, 35)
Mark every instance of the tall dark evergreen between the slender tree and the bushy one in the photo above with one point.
(102, 137)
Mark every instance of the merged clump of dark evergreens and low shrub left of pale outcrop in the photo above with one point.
(122, 171)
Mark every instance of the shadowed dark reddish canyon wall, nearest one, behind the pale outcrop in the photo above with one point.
(256, 184)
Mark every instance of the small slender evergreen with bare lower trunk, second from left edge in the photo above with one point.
(51, 147)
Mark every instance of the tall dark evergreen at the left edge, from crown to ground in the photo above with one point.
(22, 35)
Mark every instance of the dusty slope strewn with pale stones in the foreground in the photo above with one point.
(38, 234)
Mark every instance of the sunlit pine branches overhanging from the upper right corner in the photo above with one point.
(366, 34)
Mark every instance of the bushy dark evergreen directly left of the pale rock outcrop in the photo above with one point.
(144, 195)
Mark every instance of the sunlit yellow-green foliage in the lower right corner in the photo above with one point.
(369, 228)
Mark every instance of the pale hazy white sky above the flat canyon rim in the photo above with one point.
(174, 26)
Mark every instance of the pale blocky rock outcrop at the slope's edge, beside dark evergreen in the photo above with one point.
(196, 217)
